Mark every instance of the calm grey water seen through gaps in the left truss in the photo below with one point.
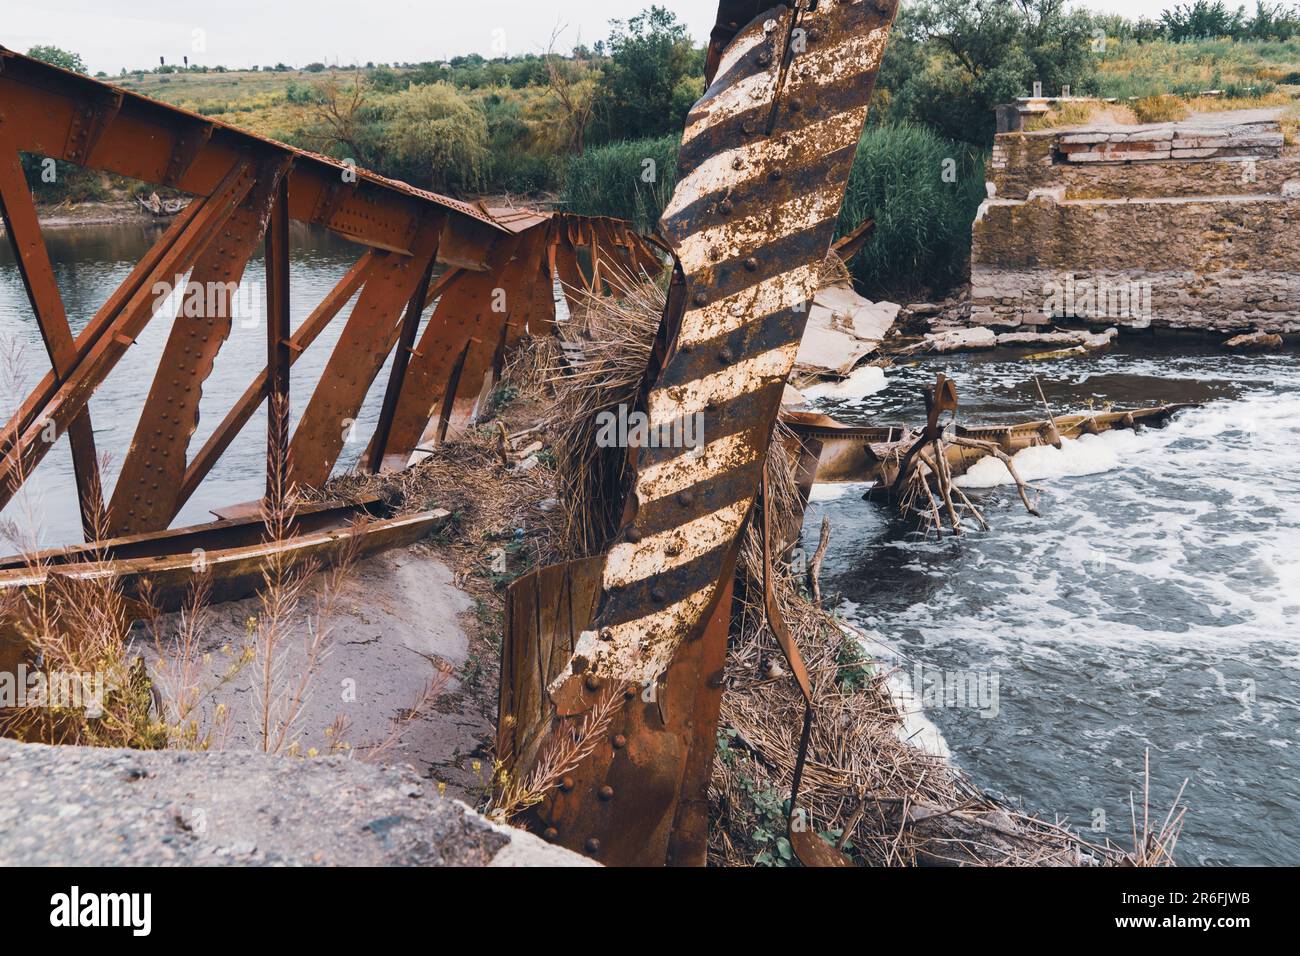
(90, 262)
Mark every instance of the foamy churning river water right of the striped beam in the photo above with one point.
(1155, 605)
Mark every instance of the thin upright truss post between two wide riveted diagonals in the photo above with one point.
(278, 336)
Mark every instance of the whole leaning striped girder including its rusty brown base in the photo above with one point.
(764, 166)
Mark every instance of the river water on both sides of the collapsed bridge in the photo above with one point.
(1154, 605)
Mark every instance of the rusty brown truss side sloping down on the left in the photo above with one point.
(489, 271)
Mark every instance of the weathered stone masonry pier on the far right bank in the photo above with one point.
(1184, 226)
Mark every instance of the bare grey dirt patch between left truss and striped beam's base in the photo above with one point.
(400, 620)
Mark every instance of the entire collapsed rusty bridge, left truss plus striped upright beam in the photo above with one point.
(764, 166)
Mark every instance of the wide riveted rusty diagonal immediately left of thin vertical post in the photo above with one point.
(146, 496)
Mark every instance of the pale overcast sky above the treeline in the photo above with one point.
(245, 33)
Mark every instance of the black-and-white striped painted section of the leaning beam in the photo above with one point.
(765, 162)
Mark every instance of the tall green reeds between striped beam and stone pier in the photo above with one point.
(924, 192)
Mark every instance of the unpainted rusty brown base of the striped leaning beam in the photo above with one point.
(640, 799)
